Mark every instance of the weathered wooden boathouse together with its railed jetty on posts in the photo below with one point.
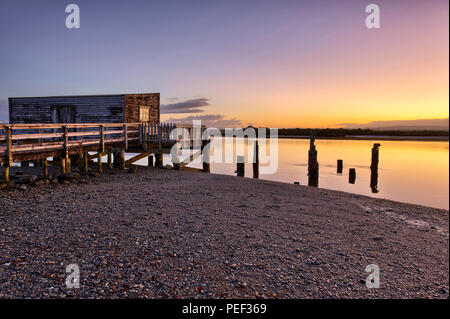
(67, 128)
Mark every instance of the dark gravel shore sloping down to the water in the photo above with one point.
(162, 233)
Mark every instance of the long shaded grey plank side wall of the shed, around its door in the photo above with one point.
(88, 109)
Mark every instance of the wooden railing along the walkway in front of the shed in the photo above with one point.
(27, 138)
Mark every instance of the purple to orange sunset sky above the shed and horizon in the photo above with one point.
(248, 62)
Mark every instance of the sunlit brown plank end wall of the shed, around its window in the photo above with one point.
(133, 102)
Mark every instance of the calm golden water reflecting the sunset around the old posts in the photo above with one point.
(409, 171)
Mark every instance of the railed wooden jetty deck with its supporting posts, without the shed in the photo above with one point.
(33, 142)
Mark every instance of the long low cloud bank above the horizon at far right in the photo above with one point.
(430, 124)
